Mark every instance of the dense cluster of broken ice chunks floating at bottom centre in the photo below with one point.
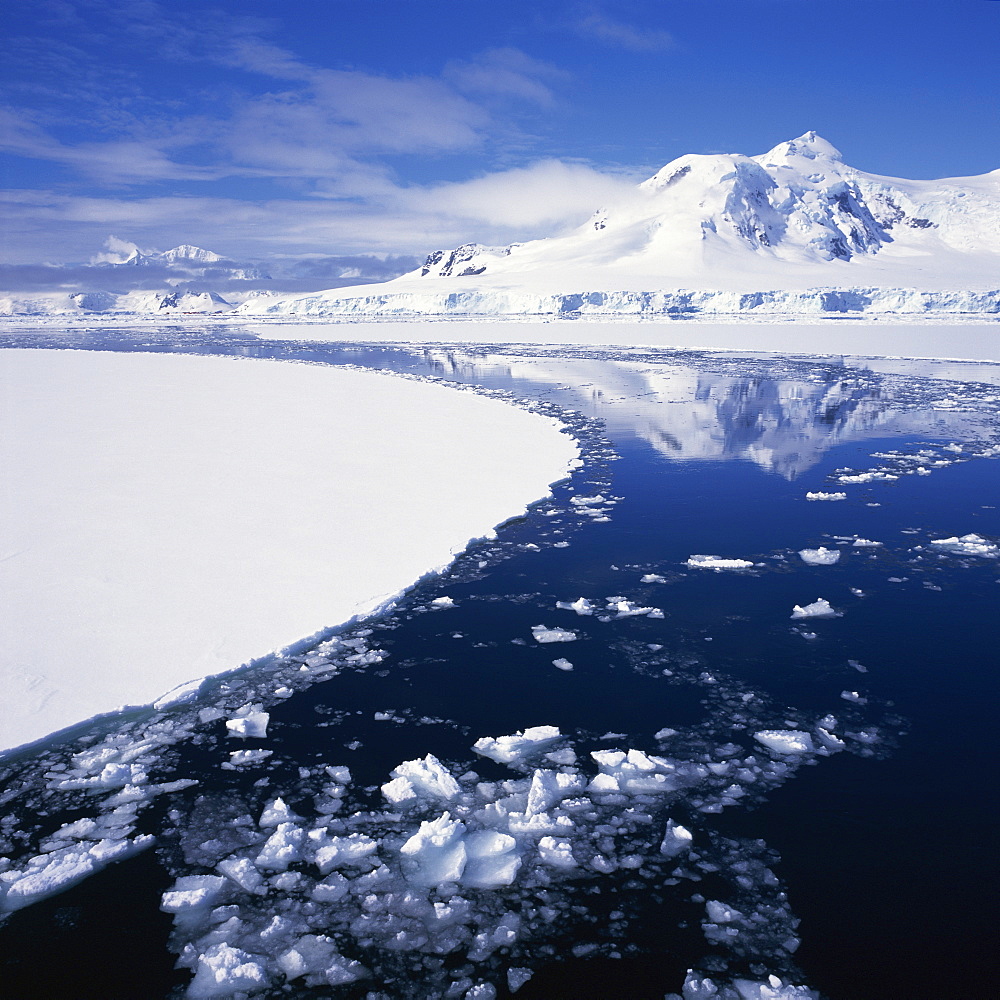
(456, 877)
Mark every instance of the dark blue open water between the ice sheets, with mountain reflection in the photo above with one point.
(886, 852)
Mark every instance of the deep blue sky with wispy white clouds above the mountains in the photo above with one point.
(343, 127)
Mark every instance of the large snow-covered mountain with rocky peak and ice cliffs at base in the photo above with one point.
(792, 230)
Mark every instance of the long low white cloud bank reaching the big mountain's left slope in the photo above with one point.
(502, 207)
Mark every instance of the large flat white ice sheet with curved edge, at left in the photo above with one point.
(167, 517)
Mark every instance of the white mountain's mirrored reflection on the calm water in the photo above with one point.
(783, 425)
